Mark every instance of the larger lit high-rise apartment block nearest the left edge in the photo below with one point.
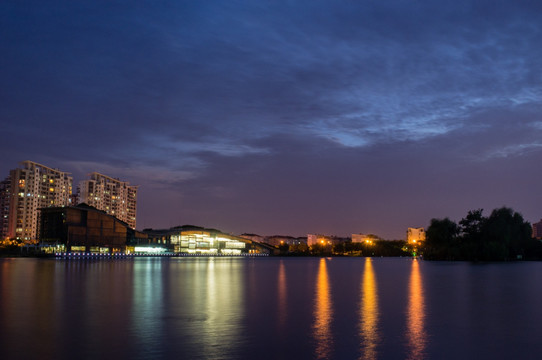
(32, 187)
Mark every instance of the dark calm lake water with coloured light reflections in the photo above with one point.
(269, 308)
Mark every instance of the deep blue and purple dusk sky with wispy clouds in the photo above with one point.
(282, 117)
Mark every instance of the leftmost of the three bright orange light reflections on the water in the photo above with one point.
(323, 314)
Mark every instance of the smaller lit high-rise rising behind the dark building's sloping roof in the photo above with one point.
(115, 197)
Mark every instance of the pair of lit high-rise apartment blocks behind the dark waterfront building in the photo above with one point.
(32, 189)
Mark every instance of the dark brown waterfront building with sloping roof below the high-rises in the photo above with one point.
(83, 228)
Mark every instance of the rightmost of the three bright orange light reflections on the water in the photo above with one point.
(416, 335)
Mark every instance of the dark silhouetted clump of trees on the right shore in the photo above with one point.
(503, 235)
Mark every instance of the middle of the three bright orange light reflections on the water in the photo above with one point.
(369, 332)
